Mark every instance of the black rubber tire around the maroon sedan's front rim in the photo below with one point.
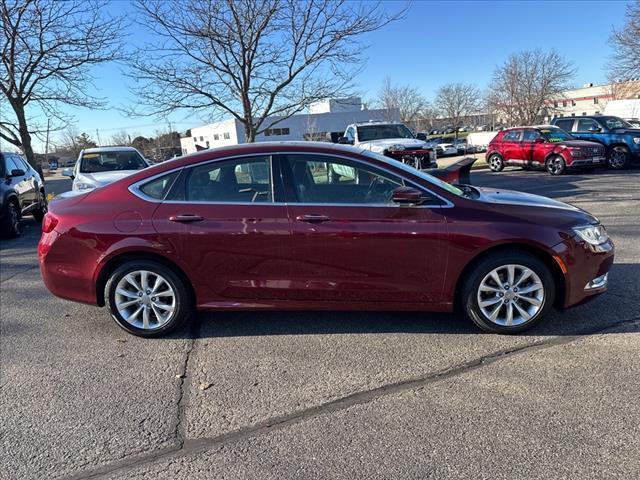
(470, 291)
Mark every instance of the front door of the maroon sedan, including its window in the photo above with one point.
(351, 243)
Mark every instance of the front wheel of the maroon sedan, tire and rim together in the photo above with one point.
(508, 292)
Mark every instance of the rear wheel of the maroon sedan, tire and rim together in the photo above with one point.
(148, 299)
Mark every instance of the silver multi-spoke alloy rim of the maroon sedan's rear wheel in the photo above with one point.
(145, 299)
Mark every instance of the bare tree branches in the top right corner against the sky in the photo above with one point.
(625, 63)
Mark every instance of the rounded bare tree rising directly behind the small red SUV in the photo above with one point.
(526, 85)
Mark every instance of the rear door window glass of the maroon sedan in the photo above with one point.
(231, 181)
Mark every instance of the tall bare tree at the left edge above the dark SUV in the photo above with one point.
(47, 50)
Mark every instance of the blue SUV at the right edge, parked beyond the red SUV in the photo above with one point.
(620, 139)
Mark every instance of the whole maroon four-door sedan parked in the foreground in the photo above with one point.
(311, 226)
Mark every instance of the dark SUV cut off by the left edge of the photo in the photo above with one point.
(21, 193)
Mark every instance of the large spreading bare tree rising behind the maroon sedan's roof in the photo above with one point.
(258, 61)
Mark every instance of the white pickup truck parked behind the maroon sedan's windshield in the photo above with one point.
(393, 140)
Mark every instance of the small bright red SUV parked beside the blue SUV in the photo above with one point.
(543, 147)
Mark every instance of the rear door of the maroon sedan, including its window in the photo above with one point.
(227, 230)
